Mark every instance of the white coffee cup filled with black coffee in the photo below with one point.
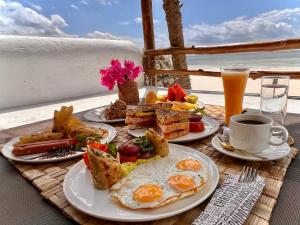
(257, 137)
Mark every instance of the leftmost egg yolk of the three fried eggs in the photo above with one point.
(148, 193)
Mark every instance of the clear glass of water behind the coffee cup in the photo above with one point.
(273, 97)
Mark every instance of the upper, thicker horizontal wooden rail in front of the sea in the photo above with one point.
(236, 48)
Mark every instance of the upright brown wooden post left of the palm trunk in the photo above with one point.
(149, 42)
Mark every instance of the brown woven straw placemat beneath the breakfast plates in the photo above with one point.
(48, 178)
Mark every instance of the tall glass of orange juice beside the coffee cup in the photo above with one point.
(234, 83)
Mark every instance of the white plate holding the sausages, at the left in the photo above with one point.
(8, 147)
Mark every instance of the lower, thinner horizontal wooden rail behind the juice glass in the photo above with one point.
(253, 74)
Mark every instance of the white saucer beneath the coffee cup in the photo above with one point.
(269, 154)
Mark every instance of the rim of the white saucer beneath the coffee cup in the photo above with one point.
(215, 138)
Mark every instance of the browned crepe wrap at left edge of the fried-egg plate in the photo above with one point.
(105, 170)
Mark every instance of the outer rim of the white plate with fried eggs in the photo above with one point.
(214, 184)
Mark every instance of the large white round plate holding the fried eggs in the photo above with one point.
(80, 192)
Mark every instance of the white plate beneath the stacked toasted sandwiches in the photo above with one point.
(211, 126)
